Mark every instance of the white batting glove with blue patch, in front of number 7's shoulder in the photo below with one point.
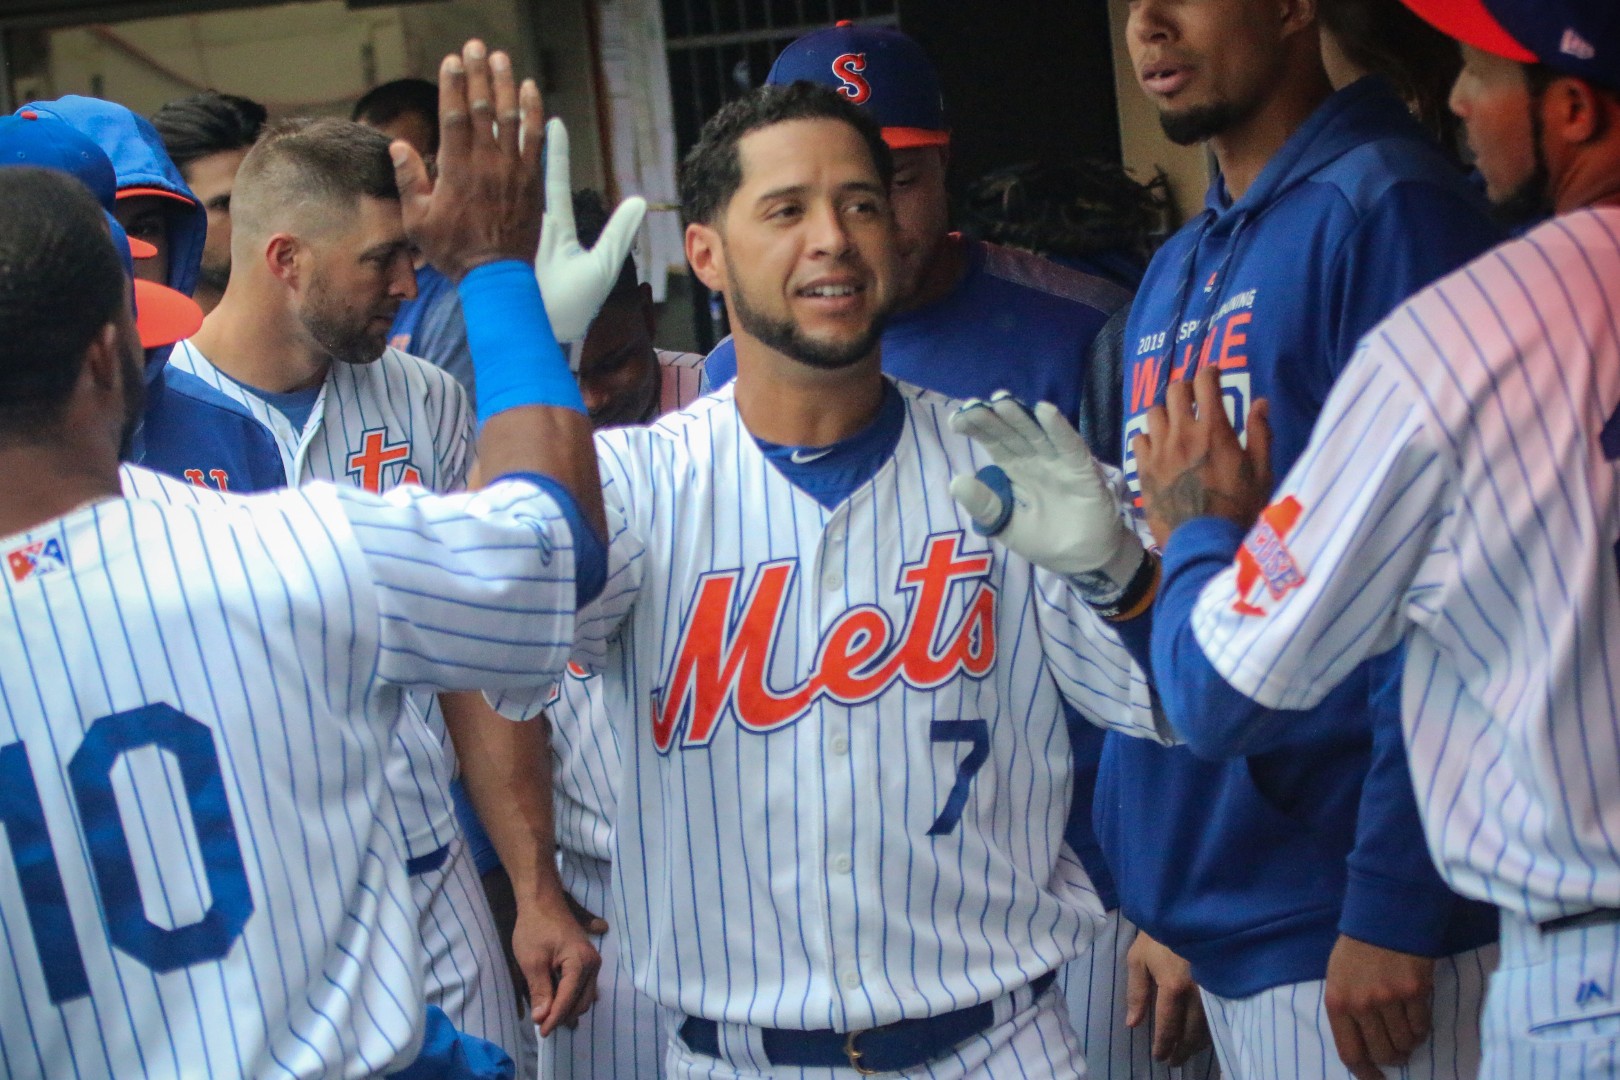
(1046, 498)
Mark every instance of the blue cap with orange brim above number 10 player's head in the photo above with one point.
(161, 315)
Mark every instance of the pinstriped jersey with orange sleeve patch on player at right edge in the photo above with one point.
(1460, 491)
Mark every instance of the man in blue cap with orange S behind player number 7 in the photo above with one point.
(976, 318)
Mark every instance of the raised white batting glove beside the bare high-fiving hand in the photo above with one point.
(574, 283)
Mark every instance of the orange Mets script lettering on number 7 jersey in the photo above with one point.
(723, 657)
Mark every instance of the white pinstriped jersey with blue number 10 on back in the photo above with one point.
(195, 712)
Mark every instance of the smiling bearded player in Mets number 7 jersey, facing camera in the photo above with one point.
(846, 770)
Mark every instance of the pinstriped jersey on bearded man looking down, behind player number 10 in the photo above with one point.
(375, 427)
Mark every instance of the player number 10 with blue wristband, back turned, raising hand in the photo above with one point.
(203, 880)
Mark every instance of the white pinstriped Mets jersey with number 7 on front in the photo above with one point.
(846, 767)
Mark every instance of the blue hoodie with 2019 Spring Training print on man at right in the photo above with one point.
(1251, 869)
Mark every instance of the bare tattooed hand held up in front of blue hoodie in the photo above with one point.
(1192, 462)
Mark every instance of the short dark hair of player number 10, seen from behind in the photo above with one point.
(61, 284)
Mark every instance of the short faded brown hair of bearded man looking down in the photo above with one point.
(302, 163)
